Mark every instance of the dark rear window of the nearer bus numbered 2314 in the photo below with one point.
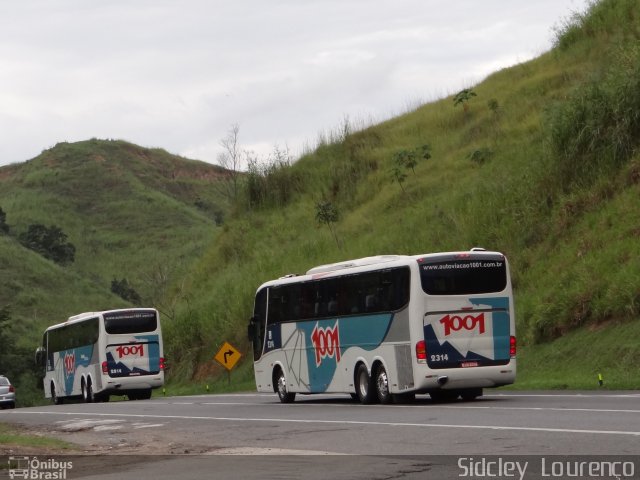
(468, 276)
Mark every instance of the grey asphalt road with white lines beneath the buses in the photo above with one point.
(254, 436)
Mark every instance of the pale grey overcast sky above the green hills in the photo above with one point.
(177, 74)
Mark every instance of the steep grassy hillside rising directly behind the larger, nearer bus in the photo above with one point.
(542, 164)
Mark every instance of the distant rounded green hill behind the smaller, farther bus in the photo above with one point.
(132, 213)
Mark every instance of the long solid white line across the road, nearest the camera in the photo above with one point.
(351, 422)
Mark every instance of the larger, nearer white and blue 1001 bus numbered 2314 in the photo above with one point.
(388, 327)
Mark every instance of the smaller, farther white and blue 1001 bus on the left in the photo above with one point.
(97, 354)
